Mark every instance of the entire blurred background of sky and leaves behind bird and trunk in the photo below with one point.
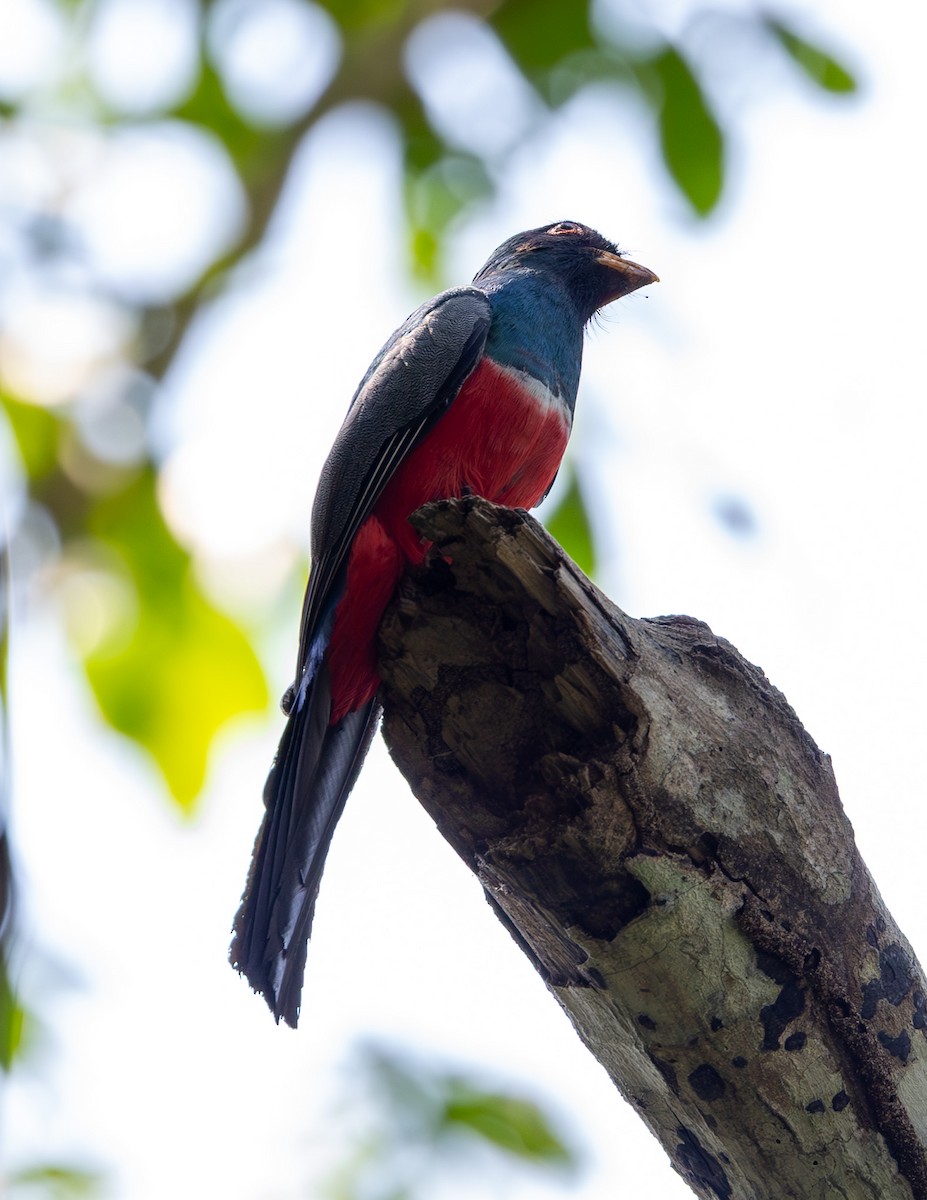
(213, 213)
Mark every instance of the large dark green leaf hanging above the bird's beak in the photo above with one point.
(692, 141)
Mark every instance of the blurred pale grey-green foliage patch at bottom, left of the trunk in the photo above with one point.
(421, 1123)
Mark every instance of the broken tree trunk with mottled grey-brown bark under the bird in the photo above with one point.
(667, 844)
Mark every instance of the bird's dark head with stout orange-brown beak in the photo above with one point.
(591, 268)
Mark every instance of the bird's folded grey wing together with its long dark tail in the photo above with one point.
(410, 385)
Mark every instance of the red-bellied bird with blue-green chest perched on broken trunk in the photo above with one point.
(473, 395)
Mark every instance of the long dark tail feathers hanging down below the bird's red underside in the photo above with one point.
(314, 771)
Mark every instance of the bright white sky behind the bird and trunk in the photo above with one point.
(780, 362)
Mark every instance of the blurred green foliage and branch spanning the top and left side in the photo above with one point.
(169, 669)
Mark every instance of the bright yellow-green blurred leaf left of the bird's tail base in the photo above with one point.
(182, 669)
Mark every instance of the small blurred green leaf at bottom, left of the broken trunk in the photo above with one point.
(507, 1123)
